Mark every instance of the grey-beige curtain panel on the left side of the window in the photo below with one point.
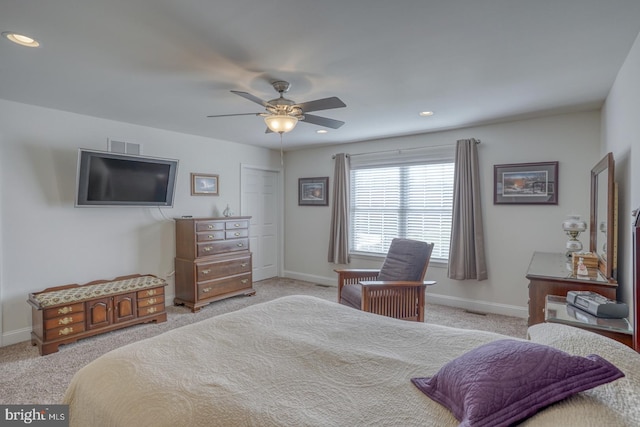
(339, 233)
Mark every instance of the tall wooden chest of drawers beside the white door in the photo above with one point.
(213, 260)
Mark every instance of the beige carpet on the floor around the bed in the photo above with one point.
(28, 378)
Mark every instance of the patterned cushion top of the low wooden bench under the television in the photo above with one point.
(82, 293)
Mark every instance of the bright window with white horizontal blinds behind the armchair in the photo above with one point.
(407, 200)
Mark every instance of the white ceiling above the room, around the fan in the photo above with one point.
(168, 63)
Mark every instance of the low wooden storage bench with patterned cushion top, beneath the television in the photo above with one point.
(65, 314)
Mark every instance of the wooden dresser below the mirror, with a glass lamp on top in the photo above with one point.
(552, 274)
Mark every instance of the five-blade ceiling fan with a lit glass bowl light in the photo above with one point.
(283, 114)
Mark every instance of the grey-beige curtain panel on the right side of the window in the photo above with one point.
(466, 252)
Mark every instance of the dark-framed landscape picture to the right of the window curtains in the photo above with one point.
(525, 184)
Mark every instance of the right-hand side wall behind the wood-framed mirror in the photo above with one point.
(620, 134)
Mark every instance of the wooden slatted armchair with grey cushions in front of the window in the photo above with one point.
(395, 290)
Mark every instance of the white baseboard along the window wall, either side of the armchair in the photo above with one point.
(467, 304)
